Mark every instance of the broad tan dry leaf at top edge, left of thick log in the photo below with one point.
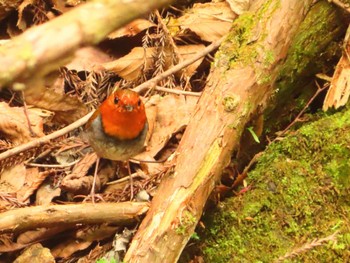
(210, 21)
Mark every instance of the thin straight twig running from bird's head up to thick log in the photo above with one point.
(153, 82)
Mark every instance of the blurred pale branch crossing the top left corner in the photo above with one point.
(44, 48)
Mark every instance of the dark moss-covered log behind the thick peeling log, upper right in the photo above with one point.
(315, 49)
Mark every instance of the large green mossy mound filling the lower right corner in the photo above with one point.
(299, 193)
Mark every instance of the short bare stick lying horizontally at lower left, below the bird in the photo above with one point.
(48, 216)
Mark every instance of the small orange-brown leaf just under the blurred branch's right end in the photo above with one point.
(131, 29)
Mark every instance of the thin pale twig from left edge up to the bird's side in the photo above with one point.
(45, 139)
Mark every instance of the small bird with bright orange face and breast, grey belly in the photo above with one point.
(117, 130)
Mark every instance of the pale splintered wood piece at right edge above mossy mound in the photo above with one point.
(339, 91)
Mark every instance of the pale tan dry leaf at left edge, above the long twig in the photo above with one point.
(14, 125)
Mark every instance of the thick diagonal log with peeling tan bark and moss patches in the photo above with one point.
(239, 85)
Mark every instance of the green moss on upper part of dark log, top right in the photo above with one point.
(321, 26)
